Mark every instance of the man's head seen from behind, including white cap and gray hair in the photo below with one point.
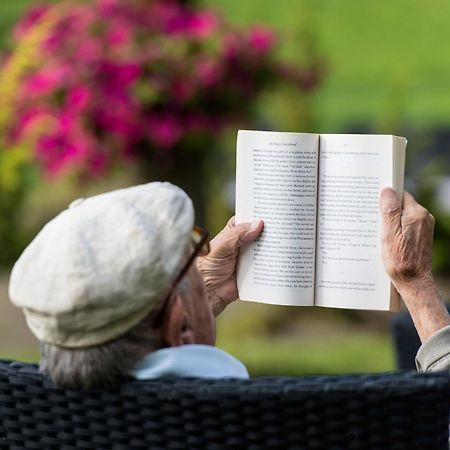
(97, 278)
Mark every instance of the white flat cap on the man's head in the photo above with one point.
(100, 266)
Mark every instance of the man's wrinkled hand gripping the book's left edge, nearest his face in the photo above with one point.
(218, 268)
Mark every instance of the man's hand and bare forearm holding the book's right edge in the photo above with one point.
(407, 240)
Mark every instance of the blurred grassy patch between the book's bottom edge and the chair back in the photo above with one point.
(275, 340)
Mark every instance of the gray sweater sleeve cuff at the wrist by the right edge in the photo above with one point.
(434, 354)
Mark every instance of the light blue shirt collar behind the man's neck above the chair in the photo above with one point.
(199, 361)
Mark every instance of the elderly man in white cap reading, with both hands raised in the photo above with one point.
(122, 285)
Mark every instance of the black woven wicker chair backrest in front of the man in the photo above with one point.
(382, 411)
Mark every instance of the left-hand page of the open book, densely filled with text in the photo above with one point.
(276, 180)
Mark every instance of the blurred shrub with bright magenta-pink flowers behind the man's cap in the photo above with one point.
(116, 80)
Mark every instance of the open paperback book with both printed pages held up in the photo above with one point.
(318, 196)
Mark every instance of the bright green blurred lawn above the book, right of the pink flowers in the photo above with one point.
(386, 58)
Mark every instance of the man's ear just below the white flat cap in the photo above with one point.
(176, 327)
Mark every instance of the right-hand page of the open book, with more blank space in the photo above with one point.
(353, 170)
